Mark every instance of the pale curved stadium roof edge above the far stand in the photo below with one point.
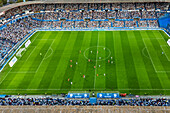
(5, 8)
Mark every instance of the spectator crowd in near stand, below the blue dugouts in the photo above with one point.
(85, 102)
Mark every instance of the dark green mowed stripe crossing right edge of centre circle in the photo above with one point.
(111, 78)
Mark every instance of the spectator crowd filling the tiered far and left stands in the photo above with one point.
(92, 15)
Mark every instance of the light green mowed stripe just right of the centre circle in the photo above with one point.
(122, 81)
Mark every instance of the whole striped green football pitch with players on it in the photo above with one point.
(136, 62)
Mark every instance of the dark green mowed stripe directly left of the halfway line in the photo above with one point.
(89, 82)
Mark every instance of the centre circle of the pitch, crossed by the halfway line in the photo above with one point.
(97, 53)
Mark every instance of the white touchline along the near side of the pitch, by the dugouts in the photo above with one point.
(81, 89)
